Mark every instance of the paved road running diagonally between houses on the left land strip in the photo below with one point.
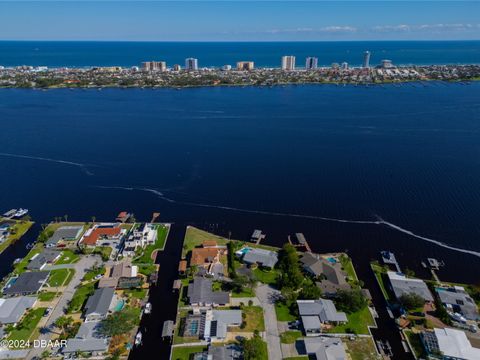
(86, 262)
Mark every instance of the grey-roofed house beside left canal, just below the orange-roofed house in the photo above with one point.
(200, 293)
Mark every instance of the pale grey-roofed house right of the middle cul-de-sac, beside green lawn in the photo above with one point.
(318, 313)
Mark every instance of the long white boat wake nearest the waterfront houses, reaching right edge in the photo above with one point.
(379, 220)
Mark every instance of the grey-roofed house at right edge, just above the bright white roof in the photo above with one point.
(457, 300)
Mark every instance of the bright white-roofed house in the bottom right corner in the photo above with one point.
(448, 344)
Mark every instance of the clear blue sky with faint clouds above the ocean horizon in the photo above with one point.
(239, 20)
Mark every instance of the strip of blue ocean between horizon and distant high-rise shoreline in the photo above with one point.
(79, 54)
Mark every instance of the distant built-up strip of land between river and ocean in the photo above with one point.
(245, 75)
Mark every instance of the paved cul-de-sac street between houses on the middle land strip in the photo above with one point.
(267, 295)
